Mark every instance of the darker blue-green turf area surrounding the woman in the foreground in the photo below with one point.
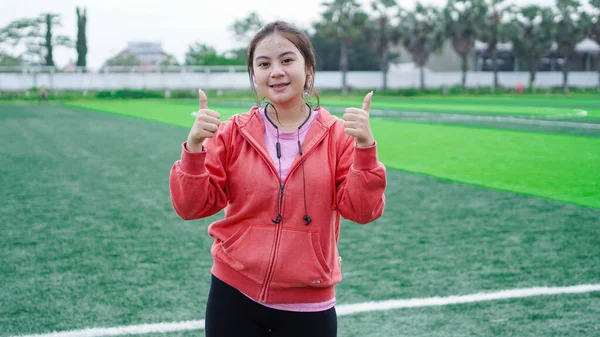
(90, 239)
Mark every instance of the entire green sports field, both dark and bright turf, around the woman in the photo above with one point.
(89, 237)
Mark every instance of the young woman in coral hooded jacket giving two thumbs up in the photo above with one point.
(284, 173)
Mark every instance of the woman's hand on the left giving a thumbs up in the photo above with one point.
(206, 124)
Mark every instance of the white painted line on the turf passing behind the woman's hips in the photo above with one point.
(342, 310)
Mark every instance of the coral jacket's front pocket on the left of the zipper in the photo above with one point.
(248, 250)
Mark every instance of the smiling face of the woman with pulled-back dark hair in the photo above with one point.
(279, 70)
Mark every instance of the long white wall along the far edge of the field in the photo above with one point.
(239, 80)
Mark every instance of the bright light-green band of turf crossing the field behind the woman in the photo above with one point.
(565, 167)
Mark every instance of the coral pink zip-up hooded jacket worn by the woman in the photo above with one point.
(288, 262)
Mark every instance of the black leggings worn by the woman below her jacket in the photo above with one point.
(229, 313)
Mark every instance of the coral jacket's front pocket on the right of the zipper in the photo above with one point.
(300, 261)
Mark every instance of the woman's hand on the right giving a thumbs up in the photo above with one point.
(356, 123)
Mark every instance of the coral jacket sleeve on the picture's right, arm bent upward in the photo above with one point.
(361, 181)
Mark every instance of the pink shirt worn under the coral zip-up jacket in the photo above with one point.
(289, 150)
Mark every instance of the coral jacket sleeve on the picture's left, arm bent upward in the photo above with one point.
(198, 180)
